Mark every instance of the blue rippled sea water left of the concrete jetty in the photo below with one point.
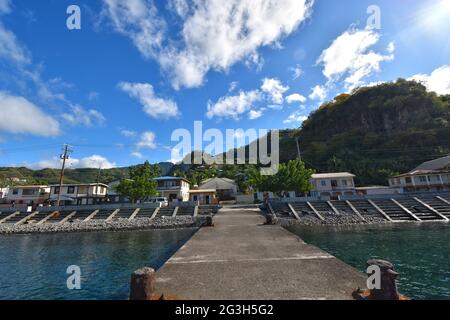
(34, 266)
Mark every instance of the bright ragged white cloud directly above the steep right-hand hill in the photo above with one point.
(349, 57)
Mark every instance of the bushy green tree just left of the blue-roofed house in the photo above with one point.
(141, 184)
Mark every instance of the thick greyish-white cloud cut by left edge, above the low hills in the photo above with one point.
(18, 115)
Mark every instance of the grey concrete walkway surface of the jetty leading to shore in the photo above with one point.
(242, 259)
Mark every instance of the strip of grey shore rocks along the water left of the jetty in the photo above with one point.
(138, 224)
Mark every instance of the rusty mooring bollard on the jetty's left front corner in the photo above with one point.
(142, 286)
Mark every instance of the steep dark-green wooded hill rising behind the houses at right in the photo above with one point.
(376, 132)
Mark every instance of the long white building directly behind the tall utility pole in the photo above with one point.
(79, 194)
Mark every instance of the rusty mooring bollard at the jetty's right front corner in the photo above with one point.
(388, 288)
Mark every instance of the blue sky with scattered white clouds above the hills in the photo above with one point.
(137, 70)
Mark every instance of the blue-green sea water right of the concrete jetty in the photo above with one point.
(420, 253)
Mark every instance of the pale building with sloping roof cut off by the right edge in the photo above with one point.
(430, 176)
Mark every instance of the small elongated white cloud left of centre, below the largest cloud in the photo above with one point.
(154, 106)
